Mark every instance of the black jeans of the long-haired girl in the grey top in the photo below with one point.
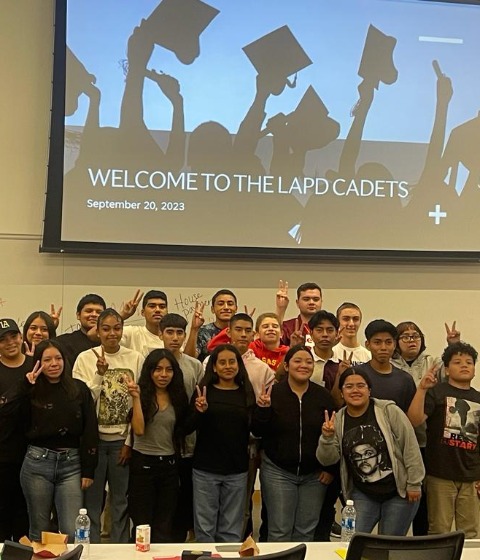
(153, 492)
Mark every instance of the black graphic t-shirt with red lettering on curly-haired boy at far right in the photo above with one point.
(453, 423)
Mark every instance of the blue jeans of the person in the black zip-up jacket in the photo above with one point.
(293, 502)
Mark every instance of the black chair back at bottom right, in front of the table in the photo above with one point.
(365, 546)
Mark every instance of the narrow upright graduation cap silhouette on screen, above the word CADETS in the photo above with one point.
(377, 59)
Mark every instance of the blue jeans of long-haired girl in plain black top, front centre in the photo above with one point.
(218, 504)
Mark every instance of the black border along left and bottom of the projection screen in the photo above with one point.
(51, 238)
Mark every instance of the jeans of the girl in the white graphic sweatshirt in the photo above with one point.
(109, 470)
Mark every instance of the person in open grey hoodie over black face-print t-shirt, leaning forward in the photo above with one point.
(380, 463)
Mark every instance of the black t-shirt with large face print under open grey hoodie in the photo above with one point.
(366, 452)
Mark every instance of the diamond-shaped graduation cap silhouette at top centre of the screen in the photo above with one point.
(278, 55)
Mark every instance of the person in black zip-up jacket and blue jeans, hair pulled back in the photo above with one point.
(289, 418)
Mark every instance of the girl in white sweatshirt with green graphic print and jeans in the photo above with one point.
(105, 369)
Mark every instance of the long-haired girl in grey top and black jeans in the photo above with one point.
(160, 404)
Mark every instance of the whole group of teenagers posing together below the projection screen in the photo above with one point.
(175, 421)
